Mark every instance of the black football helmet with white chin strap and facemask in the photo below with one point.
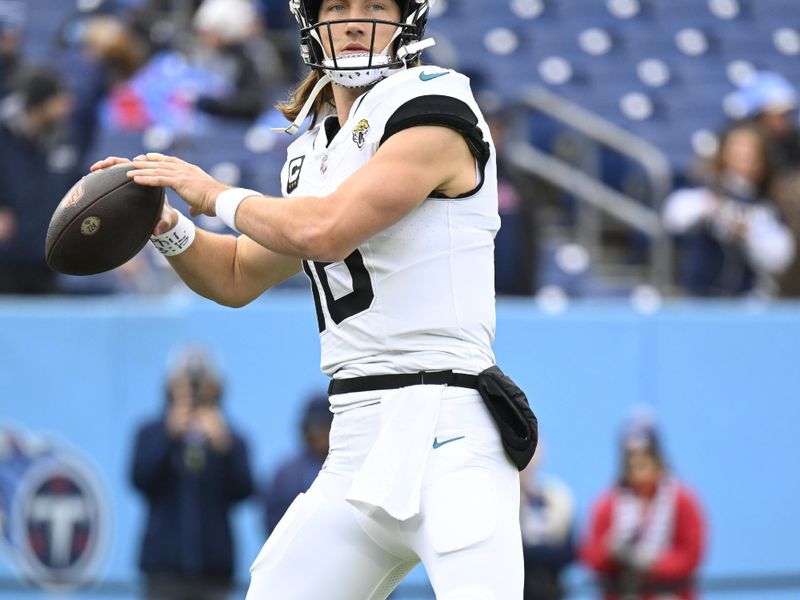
(360, 70)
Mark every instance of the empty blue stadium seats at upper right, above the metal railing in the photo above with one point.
(592, 53)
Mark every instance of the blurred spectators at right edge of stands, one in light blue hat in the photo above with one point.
(737, 229)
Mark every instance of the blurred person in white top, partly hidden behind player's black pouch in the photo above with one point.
(547, 522)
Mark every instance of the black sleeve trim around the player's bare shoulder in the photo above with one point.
(445, 111)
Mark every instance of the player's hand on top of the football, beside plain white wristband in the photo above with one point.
(189, 181)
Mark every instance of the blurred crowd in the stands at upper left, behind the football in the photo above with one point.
(167, 69)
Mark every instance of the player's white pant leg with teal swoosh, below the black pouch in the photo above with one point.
(469, 536)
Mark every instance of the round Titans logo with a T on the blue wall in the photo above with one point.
(53, 512)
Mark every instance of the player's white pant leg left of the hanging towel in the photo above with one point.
(319, 548)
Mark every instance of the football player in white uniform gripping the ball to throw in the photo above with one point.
(390, 209)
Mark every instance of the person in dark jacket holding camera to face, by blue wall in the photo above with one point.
(192, 468)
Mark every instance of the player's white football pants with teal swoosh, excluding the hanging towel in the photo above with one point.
(467, 533)
